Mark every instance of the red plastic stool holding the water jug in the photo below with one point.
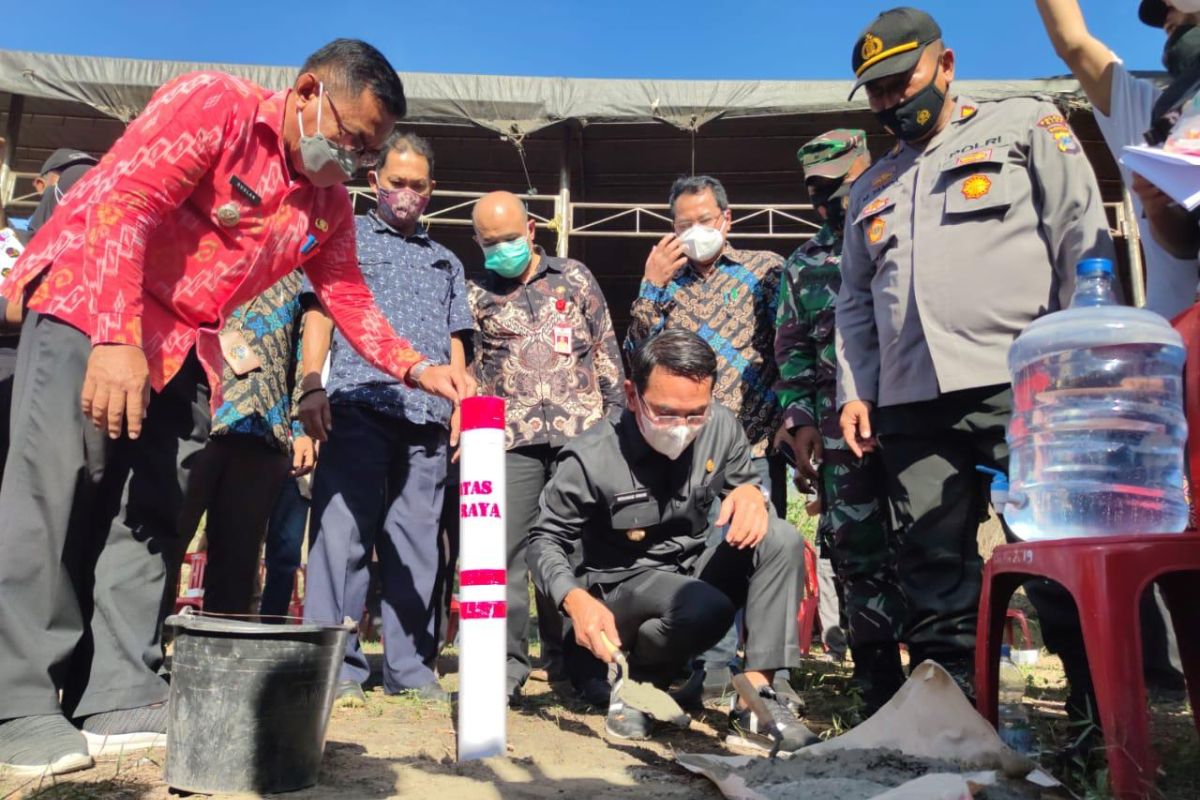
(1107, 578)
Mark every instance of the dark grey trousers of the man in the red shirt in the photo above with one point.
(89, 530)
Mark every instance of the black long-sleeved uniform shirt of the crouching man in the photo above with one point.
(610, 483)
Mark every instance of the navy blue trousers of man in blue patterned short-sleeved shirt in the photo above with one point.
(379, 489)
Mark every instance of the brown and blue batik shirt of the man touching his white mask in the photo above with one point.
(734, 310)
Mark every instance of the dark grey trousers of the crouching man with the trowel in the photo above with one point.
(667, 618)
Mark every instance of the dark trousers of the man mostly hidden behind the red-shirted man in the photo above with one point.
(236, 482)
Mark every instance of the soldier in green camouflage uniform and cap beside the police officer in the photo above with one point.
(854, 532)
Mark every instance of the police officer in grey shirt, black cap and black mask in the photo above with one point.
(968, 231)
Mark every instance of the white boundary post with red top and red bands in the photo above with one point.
(483, 558)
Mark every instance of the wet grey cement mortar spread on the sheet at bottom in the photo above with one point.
(861, 775)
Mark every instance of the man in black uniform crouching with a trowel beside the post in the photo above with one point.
(637, 491)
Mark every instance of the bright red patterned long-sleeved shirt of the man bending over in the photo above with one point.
(155, 246)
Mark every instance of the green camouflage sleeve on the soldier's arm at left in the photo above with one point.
(795, 352)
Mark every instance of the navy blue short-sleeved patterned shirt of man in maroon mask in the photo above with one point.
(419, 287)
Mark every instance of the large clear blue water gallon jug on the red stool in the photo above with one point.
(1099, 434)
